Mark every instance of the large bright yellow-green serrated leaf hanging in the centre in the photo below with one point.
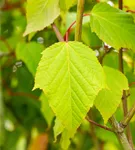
(67, 75)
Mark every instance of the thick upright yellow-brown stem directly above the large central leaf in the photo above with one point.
(78, 29)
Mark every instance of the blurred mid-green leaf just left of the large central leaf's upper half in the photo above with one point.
(30, 54)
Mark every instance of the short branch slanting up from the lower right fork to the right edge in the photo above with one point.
(128, 117)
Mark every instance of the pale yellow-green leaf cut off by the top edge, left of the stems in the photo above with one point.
(40, 14)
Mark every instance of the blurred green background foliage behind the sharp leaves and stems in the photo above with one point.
(24, 124)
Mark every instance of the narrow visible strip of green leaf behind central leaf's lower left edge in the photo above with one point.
(46, 110)
